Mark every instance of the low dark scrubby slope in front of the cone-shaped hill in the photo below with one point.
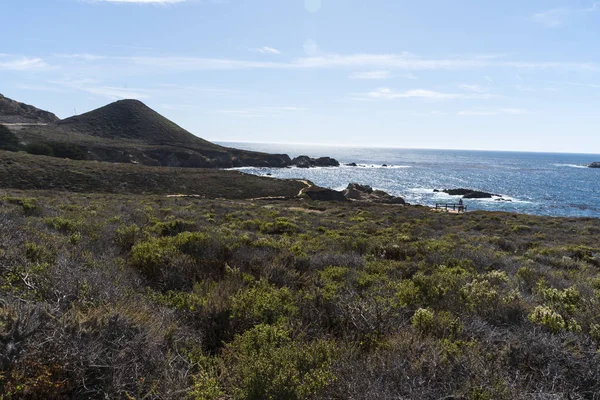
(26, 171)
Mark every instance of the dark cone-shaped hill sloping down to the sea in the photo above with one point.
(128, 131)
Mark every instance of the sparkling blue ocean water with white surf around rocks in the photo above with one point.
(535, 183)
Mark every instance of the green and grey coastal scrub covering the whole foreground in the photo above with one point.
(154, 297)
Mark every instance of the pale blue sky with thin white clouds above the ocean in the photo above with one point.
(495, 75)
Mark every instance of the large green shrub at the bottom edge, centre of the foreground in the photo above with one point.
(266, 363)
